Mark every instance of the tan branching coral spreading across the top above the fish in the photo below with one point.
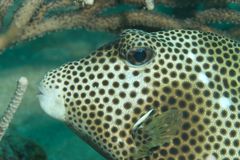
(37, 17)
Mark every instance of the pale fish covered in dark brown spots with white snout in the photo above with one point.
(166, 95)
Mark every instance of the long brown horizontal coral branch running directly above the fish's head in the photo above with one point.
(114, 23)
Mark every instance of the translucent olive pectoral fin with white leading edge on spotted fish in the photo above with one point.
(154, 129)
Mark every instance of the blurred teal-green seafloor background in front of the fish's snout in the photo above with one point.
(33, 59)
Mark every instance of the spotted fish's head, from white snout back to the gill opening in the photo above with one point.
(102, 95)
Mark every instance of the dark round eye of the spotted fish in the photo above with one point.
(139, 56)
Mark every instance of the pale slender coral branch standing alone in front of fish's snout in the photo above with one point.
(13, 105)
